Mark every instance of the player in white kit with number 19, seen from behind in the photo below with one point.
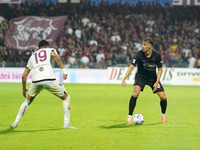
(43, 78)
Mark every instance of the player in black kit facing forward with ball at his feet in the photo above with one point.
(147, 60)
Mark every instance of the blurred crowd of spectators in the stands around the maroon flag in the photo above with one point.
(111, 35)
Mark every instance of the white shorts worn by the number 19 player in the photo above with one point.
(54, 87)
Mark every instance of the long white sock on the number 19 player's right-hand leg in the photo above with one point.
(66, 110)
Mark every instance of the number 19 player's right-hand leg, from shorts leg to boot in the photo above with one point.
(59, 90)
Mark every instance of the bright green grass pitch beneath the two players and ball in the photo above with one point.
(99, 112)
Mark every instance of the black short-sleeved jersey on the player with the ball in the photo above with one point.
(147, 66)
